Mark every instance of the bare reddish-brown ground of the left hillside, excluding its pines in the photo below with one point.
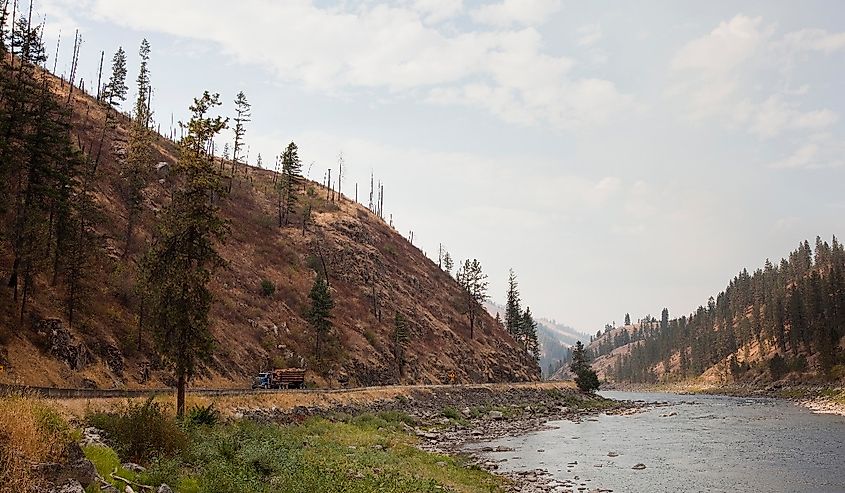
(373, 271)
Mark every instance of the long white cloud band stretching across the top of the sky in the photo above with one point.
(504, 71)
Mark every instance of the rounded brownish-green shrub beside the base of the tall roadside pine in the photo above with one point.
(141, 432)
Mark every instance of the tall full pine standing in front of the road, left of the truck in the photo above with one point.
(177, 268)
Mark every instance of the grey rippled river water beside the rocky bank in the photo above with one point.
(694, 444)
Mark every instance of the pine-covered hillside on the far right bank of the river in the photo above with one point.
(784, 320)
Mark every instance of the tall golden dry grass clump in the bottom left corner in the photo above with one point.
(30, 432)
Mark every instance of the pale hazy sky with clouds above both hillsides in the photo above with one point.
(619, 156)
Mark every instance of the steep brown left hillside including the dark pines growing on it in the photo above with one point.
(78, 212)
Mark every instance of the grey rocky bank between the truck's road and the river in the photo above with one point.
(447, 419)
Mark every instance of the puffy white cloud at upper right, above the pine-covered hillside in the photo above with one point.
(740, 75)
